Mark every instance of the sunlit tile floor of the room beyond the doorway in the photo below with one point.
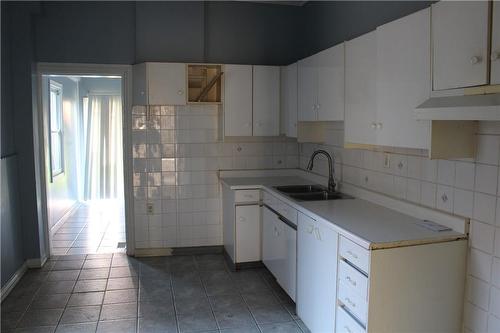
(95, 227)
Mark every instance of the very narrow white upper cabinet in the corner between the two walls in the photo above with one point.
(289, 100)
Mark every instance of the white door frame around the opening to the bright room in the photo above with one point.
(125, 71)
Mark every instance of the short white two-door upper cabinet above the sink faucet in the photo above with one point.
(321, 86)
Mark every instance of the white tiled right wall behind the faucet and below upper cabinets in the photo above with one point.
(471, 189)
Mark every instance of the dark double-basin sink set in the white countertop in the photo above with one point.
(311, 193)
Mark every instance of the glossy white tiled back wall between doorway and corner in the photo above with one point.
(177, 153)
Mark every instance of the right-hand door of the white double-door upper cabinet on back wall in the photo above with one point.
(266, 100)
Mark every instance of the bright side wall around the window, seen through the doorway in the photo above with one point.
(62, 192)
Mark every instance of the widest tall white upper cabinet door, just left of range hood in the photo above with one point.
(403, 80)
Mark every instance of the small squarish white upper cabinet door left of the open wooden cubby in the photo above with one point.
(166, 83)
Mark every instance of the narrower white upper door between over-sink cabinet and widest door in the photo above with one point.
(361, 89)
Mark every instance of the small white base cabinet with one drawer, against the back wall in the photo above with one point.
(241, 218)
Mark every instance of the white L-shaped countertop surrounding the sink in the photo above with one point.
(372, 226)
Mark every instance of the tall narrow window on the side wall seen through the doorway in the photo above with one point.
(56, 130)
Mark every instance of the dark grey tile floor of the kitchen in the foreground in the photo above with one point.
(116, 293)
